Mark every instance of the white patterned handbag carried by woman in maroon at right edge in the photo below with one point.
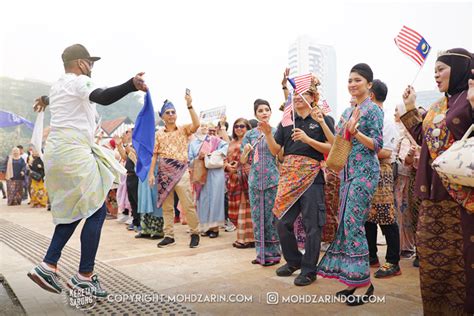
(456, 163)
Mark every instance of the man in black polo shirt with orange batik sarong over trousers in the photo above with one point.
(301, 185)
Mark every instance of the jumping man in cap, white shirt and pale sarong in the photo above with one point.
(79, 173)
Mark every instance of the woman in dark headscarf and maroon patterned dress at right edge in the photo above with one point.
(444, 237)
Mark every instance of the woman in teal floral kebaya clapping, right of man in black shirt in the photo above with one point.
(347, 258)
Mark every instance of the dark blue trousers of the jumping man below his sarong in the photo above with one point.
(90, 236)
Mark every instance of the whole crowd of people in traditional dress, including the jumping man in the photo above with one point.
(271, 187)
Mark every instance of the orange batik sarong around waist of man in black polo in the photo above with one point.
(297, 174)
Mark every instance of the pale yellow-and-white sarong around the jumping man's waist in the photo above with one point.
(78, 174)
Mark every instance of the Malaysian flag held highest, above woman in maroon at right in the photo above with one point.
(413, 44)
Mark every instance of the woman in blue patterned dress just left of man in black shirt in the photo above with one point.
(263, 183)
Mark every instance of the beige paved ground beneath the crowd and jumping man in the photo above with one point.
(215, 268)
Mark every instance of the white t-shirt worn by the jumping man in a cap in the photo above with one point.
(70, 106)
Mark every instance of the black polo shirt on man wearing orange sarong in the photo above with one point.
(313, 130)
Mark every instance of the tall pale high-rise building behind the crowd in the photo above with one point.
(307, 55)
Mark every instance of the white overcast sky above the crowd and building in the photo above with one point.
(227, 53)
